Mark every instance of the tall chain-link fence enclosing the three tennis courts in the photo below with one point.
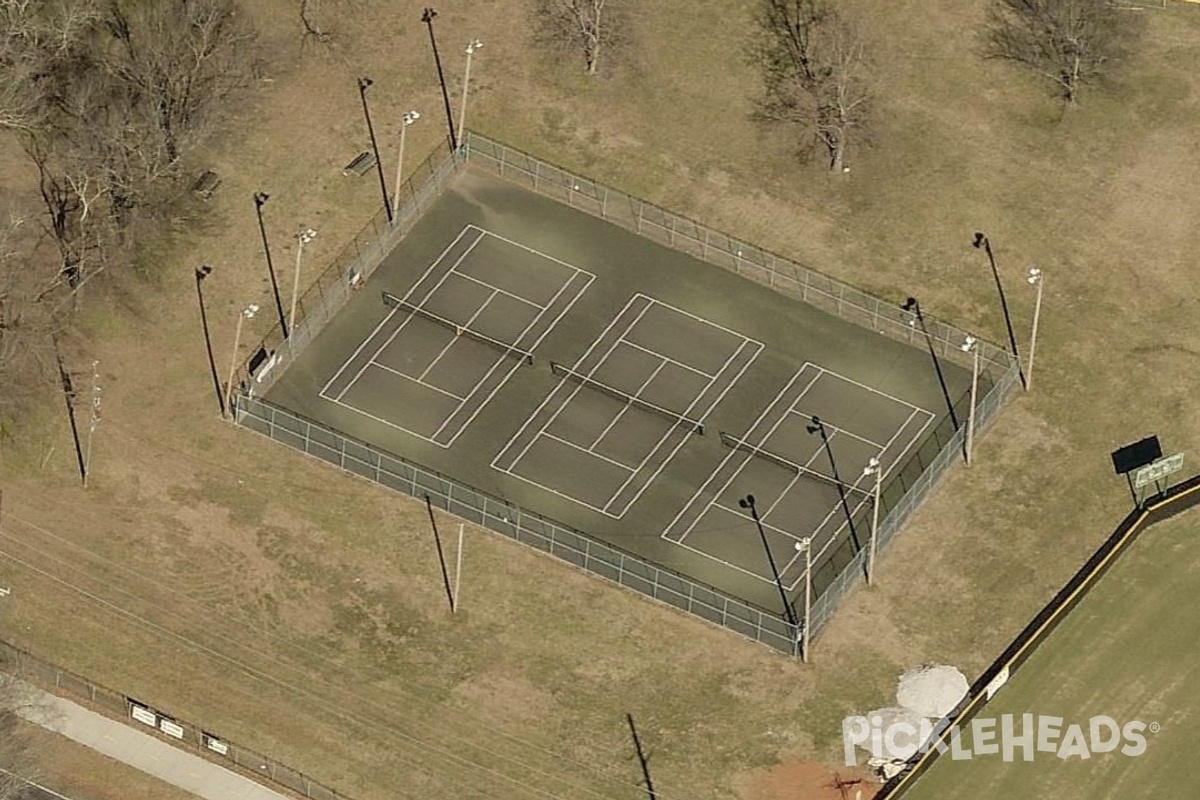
(837, 569)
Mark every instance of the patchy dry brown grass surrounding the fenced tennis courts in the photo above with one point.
(299, 612)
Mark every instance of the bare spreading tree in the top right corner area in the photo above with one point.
(1069, 43)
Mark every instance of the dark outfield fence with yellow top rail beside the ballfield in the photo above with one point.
(1156, 509)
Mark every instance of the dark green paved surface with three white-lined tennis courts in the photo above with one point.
(621, 388)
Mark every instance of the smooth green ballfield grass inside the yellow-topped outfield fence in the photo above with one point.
(1127, 652)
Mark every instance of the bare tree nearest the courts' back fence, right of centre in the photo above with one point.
(815, 73)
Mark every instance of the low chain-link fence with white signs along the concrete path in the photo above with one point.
(171, 729)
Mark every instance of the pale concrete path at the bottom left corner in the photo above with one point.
(141, 750)
